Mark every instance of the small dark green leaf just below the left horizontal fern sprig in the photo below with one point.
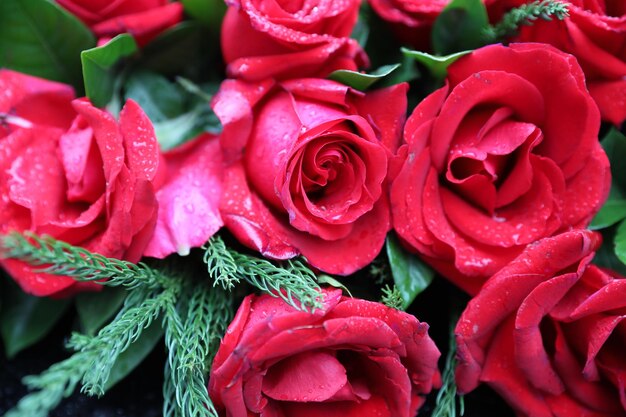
(95, 309)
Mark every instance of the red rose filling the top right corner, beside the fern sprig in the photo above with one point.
(595, 33)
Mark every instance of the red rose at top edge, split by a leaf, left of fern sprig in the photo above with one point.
(412, 20)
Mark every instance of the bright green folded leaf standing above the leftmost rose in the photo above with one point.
(99, 67)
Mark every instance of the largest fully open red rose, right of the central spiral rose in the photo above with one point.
(494, 161)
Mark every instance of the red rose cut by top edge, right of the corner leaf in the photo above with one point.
(144, 19)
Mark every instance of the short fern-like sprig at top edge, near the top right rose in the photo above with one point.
(526, 14)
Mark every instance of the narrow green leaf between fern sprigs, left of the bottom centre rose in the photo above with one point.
(135, 354)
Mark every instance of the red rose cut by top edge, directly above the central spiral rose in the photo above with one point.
(263, 38)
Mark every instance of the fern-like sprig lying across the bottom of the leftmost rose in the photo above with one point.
(60, 258)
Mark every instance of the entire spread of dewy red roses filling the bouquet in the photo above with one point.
(491, 180)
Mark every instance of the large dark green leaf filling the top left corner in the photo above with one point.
(40, 38)
